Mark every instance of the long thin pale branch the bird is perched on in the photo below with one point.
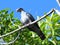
(52, 10)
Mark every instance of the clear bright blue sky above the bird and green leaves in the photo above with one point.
(35, 7)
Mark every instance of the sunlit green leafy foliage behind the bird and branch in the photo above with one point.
(49, 25)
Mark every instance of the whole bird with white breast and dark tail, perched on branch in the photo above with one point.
(27, 18)
